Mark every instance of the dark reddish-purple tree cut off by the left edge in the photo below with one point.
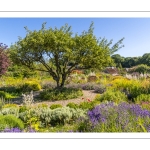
(4, 60)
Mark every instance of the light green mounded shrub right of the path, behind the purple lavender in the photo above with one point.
(112, 95)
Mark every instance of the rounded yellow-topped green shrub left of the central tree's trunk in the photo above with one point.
(30, 86)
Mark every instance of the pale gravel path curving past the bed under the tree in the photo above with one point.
(86, 95)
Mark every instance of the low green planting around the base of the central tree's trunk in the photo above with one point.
(60, 94)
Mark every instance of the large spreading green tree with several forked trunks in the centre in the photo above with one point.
(59, 51)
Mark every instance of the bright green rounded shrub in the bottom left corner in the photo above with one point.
(10, 121)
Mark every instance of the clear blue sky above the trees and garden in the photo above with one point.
(136, 31)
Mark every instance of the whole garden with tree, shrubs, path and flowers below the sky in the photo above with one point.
(53, 82)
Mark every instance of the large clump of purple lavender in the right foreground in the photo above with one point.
(124, 117)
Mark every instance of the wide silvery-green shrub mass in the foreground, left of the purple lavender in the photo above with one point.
(48, 117)
